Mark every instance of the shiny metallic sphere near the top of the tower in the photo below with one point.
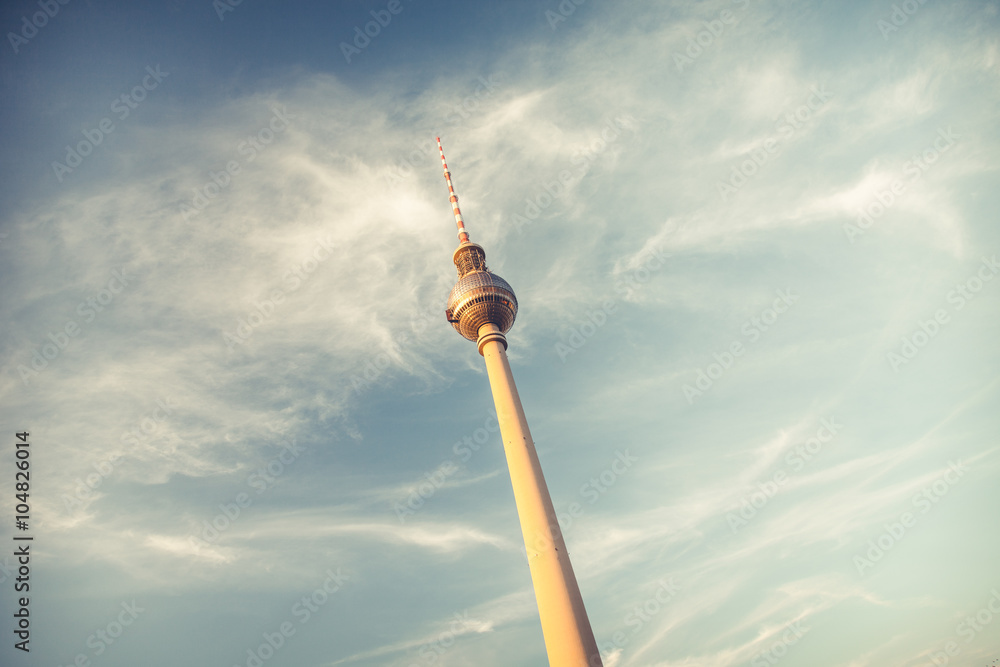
(478, 298)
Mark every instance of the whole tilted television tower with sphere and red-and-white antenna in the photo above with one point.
(482, 308)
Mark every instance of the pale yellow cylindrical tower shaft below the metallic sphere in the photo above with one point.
(569, 639)
